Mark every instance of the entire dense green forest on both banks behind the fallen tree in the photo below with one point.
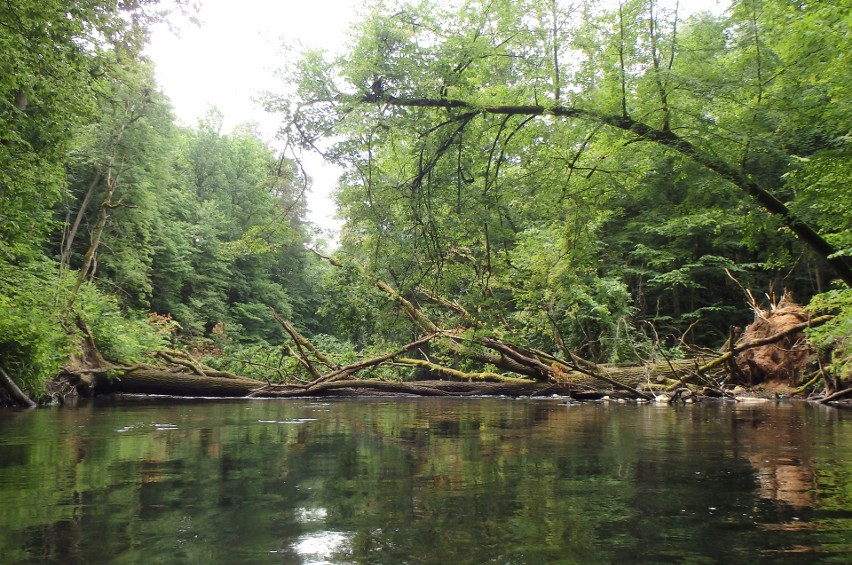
(526, 183)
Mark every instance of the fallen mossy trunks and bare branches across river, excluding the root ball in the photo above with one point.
(522, 371)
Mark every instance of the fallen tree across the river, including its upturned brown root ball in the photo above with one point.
(507, 369)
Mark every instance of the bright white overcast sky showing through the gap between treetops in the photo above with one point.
(230, 59)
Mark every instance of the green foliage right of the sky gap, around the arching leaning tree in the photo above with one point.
(571, 230)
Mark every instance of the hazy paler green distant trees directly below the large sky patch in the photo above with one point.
(229, 239)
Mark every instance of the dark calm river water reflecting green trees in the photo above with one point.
(444, 481)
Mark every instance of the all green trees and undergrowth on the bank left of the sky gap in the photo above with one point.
(203, 227)
